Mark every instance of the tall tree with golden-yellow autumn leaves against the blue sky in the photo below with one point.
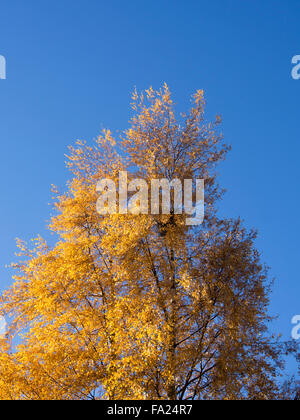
(141, 306)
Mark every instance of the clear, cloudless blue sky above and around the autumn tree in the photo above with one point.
(71, 66)
